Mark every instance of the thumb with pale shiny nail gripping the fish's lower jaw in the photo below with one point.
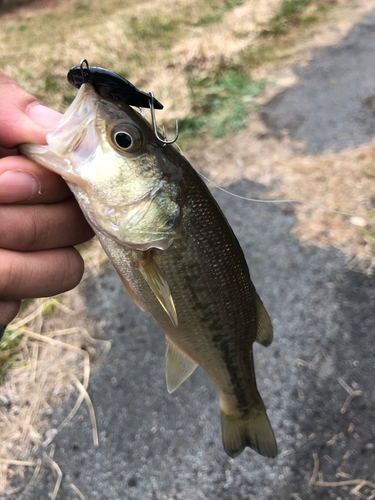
(22, 117)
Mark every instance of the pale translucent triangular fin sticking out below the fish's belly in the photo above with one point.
(179, 366)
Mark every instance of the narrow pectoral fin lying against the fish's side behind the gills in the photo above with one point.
(158, 284)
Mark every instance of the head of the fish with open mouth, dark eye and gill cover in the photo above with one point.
(126, 184)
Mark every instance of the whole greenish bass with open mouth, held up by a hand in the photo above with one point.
(173, 249)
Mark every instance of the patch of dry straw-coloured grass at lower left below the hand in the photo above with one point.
(53, 361)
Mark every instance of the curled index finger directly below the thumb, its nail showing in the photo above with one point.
(22, 180)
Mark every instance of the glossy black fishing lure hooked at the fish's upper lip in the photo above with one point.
(110, 85)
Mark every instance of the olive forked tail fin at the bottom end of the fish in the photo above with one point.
(252, 430)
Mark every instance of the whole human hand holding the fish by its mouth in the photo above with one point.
(40, 220)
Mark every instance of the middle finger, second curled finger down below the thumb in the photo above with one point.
(41, 227)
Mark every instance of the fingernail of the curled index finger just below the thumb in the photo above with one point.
(16, 186)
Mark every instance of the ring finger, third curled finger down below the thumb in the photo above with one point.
(39, 274)
